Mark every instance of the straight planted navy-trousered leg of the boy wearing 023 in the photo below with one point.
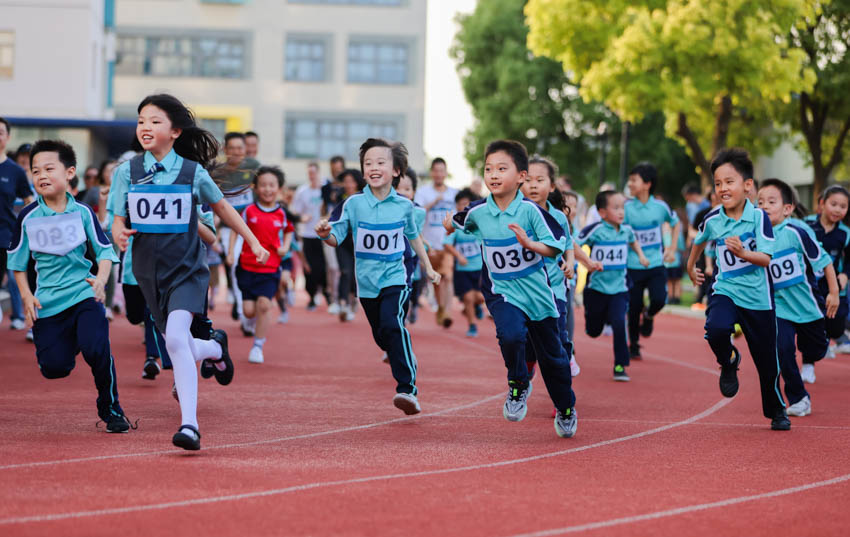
(92, 338)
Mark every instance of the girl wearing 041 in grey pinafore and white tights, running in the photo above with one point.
(155, 200)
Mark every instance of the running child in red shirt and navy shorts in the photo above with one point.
(258, 282)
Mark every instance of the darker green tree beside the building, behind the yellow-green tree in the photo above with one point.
(516, 95)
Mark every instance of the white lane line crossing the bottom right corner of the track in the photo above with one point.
(685, 510)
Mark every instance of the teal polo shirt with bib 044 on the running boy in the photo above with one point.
(609, 246)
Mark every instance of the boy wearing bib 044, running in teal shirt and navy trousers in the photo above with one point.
(606, 296)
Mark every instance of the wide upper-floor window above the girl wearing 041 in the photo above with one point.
(196, 56)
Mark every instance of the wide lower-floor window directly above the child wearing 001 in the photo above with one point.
(322, 138)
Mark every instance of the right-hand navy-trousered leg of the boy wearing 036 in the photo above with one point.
(554, 361)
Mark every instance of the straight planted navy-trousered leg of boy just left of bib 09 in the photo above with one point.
(760, 330)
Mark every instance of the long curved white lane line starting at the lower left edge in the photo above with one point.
(324, 484)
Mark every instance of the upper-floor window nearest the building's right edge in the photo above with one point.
(378, 62)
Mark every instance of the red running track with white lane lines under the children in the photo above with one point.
(310, 444)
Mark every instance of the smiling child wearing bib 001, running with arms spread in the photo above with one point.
(380, 220)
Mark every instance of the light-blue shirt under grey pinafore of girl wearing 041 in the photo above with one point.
(204, 189)
